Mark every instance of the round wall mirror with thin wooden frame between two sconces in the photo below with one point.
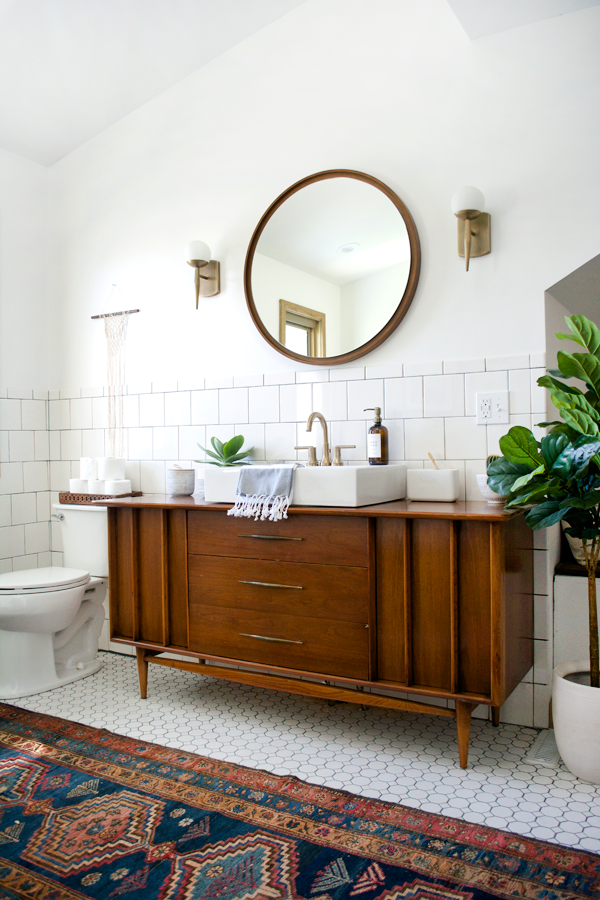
(332, 267)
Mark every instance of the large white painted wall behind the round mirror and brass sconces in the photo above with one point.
(399, 93)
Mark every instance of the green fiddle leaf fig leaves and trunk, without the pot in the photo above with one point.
(558, 478)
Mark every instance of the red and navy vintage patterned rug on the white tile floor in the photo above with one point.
(86, 813)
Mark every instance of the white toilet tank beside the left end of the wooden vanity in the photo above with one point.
(84, 533)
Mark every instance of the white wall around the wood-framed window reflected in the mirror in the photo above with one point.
(273, 281)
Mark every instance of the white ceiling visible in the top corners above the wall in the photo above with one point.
(71, 68)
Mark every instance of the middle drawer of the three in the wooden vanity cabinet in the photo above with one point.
(328, 592)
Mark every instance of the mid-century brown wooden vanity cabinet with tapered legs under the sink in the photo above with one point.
(427, 600)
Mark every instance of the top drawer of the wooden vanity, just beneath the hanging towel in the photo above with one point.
(328, 540)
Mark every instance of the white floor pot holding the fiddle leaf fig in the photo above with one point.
(576, 716)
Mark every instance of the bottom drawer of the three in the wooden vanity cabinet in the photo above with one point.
(296, 642)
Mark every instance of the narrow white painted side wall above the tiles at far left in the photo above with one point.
(23, 303)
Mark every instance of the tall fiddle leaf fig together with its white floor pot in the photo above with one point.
(557, 479)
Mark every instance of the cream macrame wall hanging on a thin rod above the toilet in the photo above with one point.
(115, 328)
